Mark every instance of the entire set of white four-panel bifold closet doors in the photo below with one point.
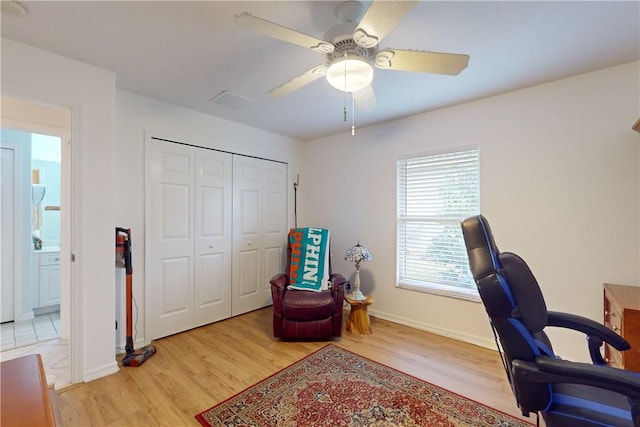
(216, 232)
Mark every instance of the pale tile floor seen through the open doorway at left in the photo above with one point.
(39, 335)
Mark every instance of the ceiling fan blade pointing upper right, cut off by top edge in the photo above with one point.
(379, 20)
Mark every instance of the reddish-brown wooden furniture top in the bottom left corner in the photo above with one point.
(26, 399)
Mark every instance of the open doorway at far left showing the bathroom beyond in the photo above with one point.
(36, 153)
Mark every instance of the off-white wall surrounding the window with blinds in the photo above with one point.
(559, 185)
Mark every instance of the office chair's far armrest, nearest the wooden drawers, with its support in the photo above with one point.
(596, 333)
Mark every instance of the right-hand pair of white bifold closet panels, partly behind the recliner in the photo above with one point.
(259, 230)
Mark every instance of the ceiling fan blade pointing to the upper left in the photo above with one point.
(252, 23)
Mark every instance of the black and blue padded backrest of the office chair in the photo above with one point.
(515, 305)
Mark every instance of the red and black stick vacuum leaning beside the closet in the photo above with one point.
(123, 249)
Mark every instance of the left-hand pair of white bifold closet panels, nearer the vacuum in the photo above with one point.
(188, 254)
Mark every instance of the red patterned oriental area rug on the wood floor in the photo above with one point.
(334, 387)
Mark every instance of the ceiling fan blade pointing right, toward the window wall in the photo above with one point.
(423, 62)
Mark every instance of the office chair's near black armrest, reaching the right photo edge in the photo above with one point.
(552, 370)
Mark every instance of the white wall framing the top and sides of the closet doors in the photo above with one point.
(136, 116)
